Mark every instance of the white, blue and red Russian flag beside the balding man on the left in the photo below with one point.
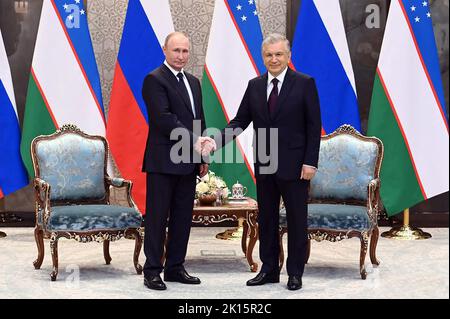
(147, 24)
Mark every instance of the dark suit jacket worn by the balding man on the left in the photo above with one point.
(168, 108)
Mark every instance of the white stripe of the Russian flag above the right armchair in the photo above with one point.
(330, 12)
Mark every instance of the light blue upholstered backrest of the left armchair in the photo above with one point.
(73, 163)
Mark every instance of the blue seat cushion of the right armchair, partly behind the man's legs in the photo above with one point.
(334, 217)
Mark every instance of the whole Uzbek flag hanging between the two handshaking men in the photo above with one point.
(233, 58)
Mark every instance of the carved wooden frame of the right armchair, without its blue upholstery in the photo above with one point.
(372, 204)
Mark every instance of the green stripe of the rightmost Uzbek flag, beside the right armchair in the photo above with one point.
(399, 186)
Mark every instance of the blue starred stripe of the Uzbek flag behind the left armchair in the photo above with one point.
(73, 16)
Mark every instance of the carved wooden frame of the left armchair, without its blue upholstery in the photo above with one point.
(43, 204)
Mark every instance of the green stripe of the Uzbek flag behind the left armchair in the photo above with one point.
(37, 121)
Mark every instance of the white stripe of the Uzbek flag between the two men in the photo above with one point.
(231, 79)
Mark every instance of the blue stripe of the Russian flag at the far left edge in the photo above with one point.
(12, 171)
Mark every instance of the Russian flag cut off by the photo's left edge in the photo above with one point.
(13, 175)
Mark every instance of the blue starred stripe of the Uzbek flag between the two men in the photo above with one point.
(246, 16)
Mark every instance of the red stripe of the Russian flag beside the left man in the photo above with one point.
(126, 132)
